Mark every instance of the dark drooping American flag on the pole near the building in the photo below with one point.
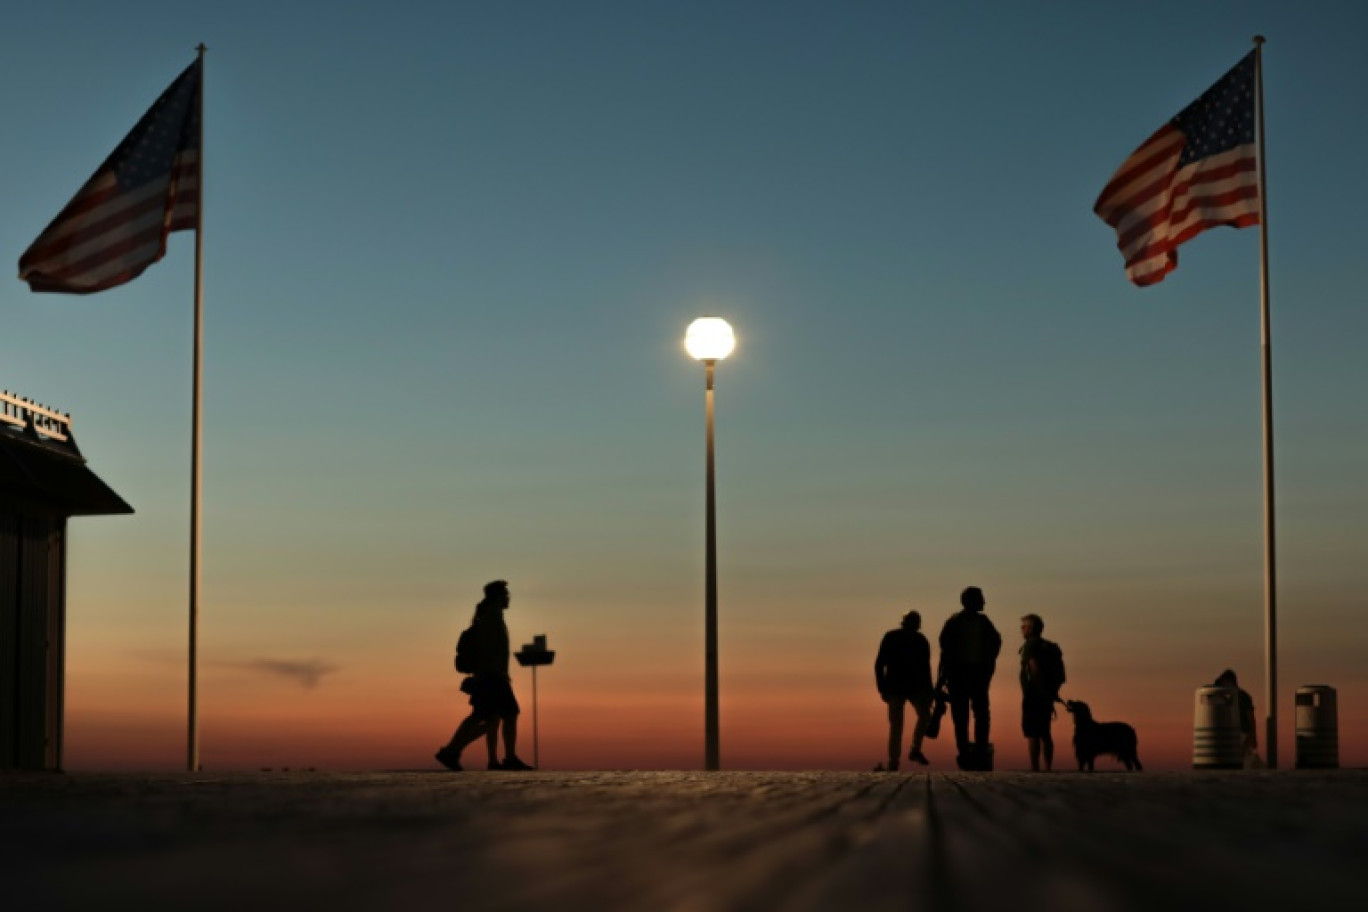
(117, 225)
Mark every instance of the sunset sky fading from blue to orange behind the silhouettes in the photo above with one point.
(451, 252)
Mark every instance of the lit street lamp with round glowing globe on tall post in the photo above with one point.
(711, 340)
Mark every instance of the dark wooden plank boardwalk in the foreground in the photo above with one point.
(689, 842)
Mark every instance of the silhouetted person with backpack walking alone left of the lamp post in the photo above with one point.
(489, 686)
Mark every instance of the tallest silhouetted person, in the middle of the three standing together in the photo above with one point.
(969, 657)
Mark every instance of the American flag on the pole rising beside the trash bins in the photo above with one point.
(1196, 173)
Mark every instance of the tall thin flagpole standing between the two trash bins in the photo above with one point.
(1266, 337)
